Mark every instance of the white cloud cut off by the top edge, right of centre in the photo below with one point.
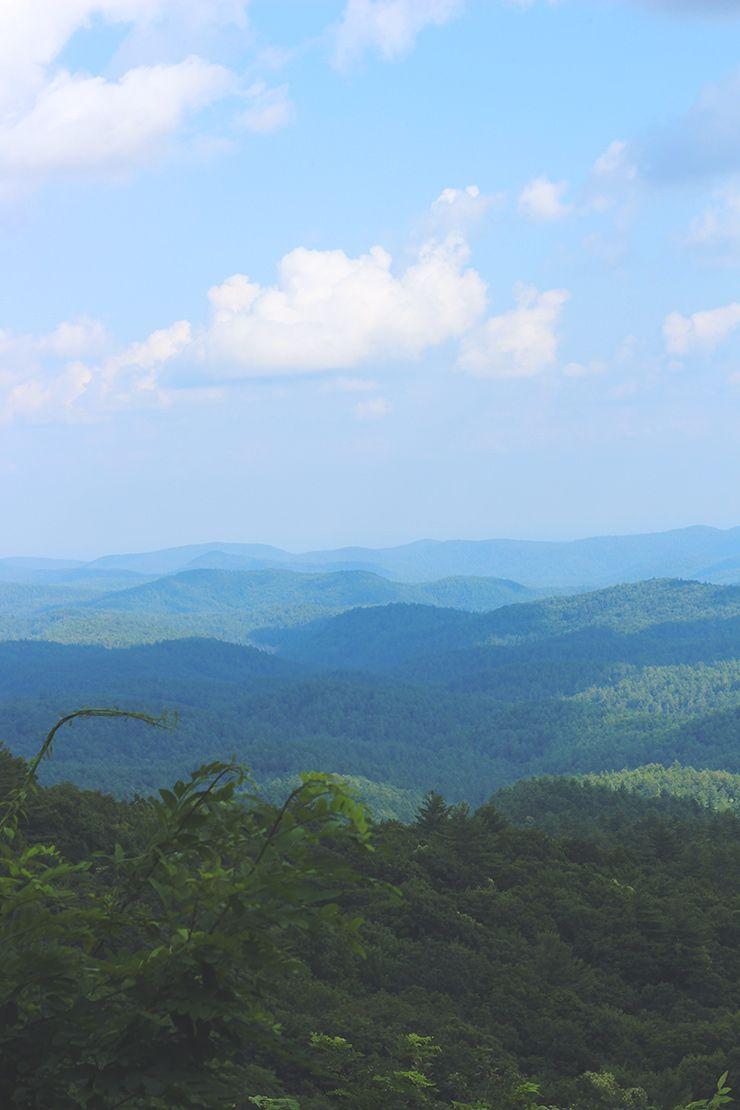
(390, 27)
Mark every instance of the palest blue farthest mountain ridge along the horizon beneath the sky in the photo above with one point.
(700, 552)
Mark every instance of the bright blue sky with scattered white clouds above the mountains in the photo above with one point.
(326, 273)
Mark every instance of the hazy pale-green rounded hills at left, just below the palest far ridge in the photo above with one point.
(104, 608)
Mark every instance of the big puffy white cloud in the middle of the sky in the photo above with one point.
(330, 311)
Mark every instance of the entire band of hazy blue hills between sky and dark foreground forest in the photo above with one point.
(427, 671)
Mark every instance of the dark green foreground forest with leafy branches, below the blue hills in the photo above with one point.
(464, 963)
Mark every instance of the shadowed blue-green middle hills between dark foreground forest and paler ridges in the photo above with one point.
(410, 698)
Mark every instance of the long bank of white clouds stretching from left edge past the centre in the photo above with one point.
(328, 312)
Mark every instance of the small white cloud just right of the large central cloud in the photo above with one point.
(520, 344)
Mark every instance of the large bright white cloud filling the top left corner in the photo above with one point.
(55, 120)
